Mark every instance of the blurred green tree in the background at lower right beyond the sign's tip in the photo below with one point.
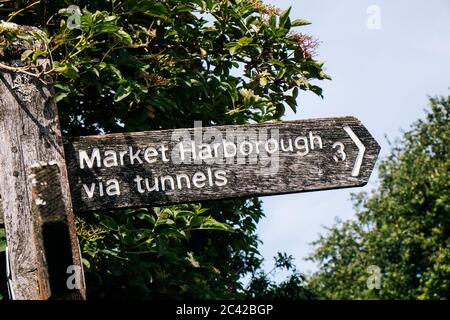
(403, 227)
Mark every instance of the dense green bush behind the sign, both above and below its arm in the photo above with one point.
(133, 65)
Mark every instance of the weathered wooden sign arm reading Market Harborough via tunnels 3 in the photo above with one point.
(185, 165)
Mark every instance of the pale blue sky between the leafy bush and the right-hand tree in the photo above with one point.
(381, 76)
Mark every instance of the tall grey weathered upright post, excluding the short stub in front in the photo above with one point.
(29, 133)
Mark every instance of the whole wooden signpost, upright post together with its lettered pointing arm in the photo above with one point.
(42, 182)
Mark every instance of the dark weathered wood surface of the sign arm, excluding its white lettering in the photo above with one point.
(316, 170)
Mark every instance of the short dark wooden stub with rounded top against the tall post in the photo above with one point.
(52, 235)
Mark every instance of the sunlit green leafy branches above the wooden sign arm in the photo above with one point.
(145, 53)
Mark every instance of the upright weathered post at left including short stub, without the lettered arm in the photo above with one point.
(30, 137)
